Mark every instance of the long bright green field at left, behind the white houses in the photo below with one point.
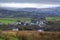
(13, 20)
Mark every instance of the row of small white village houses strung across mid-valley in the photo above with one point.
(39, 23)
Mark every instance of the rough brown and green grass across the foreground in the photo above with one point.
(29, 35)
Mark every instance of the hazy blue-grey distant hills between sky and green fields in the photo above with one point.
(29, 12)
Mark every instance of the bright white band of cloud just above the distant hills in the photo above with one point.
(30, 5)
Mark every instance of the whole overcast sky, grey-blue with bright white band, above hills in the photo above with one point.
(30, 3)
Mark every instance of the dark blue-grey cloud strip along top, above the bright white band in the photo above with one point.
(33, 1)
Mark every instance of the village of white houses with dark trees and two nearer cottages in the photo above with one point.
(35, 24)
